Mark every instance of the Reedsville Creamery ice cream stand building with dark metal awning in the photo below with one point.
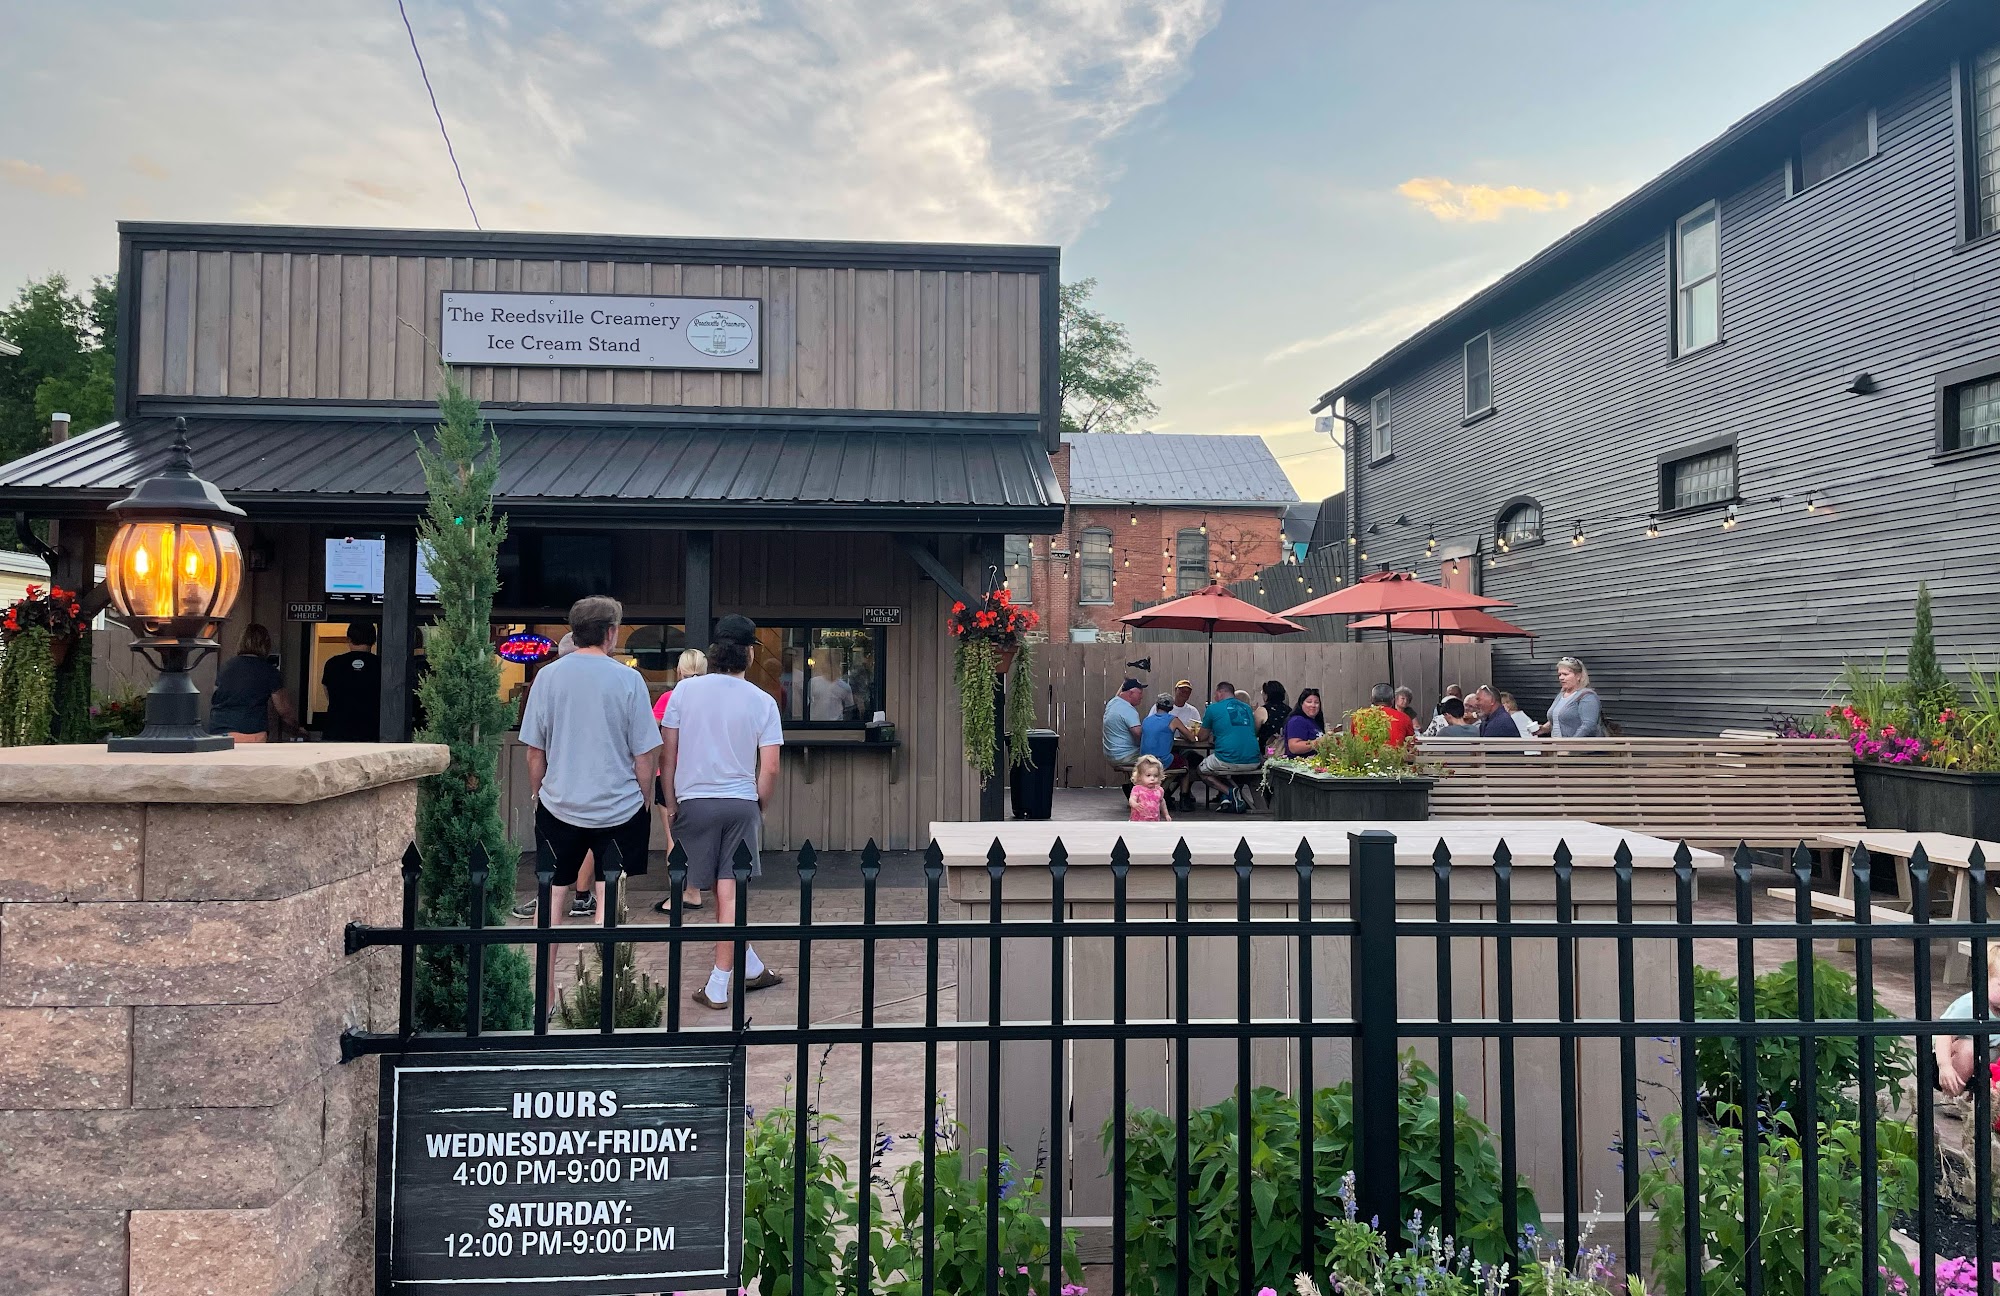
(839, 449)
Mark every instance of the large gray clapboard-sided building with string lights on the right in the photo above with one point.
(1713, 439)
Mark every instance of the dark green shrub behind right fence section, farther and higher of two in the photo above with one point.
(1779, 1059)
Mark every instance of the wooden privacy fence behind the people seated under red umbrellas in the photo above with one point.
(1075, 681)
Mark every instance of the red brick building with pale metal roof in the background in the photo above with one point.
(1149, 517)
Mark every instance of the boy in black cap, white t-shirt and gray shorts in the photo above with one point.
(717, 771)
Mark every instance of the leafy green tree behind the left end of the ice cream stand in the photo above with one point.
(67, 359)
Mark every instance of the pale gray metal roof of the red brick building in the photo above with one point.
(1165, 469)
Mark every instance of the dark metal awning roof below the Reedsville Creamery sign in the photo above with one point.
(575, 471)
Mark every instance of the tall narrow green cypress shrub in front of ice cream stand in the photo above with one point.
(463, 709)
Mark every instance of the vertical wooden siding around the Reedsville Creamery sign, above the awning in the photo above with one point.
(355, 327)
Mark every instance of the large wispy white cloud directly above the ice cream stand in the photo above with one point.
(807, 119)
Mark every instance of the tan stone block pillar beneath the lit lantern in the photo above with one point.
(175, 1117)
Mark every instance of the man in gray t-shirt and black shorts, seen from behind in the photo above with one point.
(593, 751)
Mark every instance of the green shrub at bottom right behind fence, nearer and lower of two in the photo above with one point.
(1781, 1231)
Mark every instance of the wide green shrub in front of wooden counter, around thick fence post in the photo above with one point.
(1153, 1255)
